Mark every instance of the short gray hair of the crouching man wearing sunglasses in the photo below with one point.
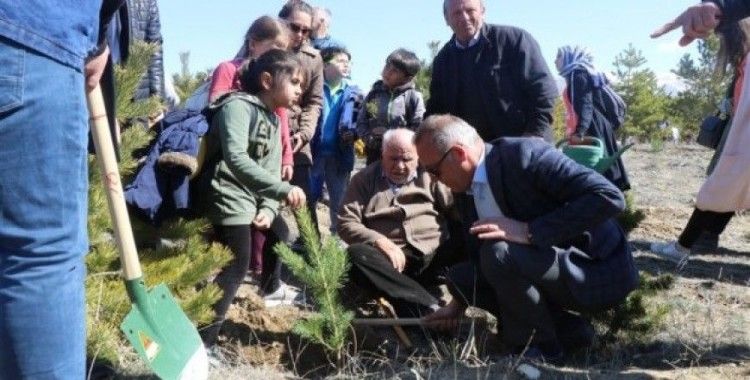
(445, 131)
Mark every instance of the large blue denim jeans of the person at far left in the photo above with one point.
(43, 205)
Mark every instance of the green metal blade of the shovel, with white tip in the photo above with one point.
(162, 335)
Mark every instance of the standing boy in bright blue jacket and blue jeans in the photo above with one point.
(332, 144)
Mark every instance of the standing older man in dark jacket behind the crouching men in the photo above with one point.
(492, 76)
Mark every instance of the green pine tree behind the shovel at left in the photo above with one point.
(183, 267)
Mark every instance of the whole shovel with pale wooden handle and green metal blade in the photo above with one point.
(156, 326)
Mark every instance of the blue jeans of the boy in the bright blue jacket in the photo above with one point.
(328, 169)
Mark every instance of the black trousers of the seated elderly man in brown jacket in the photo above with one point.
(372, 270)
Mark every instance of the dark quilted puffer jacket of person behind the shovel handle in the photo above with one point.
(139, 20)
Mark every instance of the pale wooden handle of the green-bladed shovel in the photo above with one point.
(105, 155)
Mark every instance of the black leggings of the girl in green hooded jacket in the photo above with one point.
(237, 238)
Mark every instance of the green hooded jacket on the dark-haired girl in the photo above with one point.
(242, 177)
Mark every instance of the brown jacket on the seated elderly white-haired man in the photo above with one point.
(415, 216)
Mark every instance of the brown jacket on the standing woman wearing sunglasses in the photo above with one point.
(303, 118)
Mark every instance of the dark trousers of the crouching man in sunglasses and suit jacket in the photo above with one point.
(525, 287)
